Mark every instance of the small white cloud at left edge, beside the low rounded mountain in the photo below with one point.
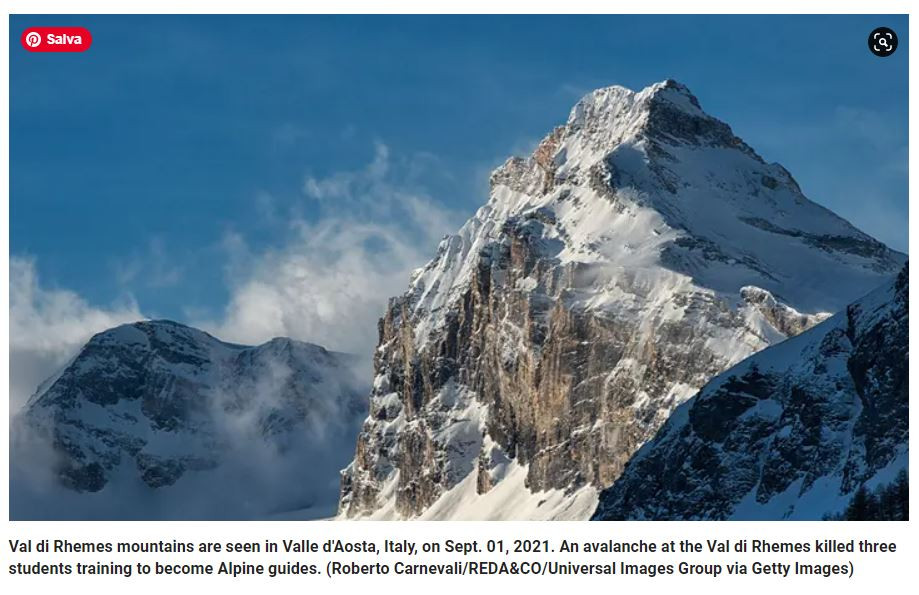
(48, 326)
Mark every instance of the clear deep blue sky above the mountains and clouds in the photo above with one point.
(173, 157)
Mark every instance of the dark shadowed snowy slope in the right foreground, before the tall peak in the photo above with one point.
(791, 432)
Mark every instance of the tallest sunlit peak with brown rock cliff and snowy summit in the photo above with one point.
(639, 251)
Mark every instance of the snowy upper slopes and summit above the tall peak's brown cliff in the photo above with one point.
(707, 207)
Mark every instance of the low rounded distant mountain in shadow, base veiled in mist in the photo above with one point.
(156, 419)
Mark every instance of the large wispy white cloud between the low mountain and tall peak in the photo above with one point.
(330, 282)
